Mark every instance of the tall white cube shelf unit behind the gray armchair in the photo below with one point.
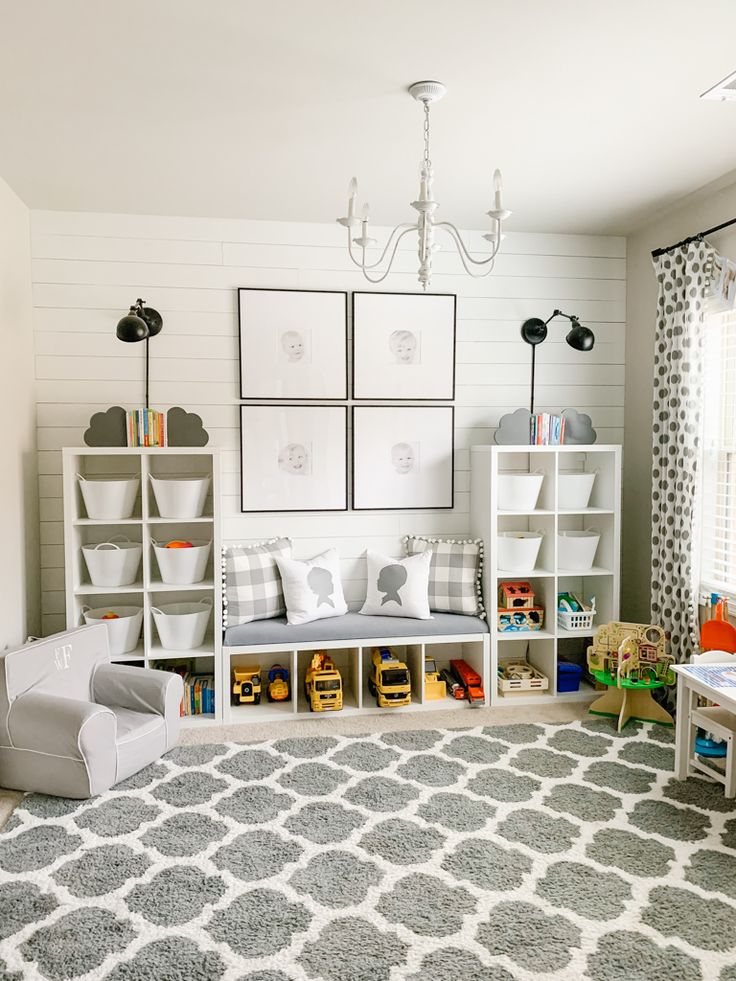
(146, 526)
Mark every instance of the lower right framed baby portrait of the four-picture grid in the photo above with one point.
(403, 457)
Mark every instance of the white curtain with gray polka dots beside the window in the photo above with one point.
(682, 276)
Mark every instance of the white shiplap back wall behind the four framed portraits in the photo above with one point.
(88, 268)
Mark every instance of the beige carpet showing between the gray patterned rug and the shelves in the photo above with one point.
(358, 725)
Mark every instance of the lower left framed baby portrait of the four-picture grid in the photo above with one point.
(293, 458)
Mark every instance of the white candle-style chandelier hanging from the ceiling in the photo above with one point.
(426, 93)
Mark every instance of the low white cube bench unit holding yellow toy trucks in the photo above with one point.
(353, 660)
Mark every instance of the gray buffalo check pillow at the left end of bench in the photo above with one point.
(251, 582)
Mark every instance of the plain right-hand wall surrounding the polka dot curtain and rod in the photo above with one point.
(705, 209)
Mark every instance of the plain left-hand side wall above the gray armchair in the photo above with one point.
(19, 569)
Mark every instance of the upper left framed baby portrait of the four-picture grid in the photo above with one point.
(293, 344)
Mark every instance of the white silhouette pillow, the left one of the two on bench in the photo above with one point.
(312, 589)
